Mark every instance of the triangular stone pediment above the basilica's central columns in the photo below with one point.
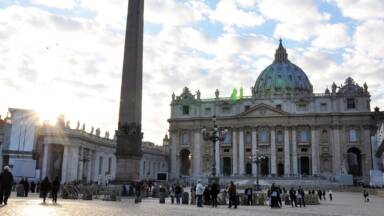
(263, 110)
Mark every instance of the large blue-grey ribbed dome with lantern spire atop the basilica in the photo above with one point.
(282, 77)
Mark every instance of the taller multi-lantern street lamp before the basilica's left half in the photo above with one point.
(213, 135)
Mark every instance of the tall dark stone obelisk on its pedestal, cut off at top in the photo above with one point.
(129, 135)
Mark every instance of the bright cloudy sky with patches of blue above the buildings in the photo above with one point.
(65, 56)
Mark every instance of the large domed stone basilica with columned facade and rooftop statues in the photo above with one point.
(296, 131)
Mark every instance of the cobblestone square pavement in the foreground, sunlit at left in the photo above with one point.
(344, 204)
